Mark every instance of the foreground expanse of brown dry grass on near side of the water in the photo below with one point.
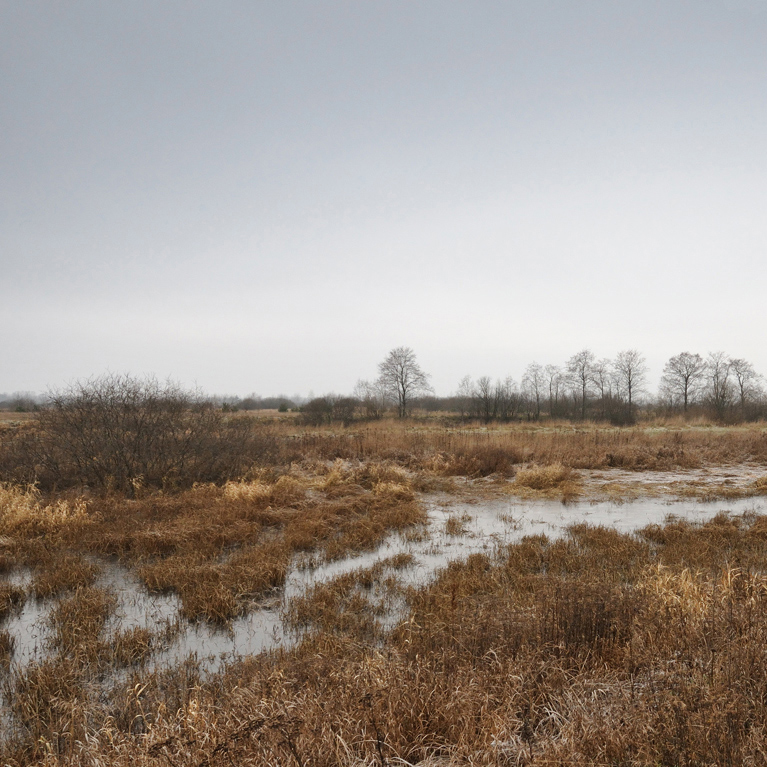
(599, 648)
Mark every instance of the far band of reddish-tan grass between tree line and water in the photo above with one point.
(481, 451)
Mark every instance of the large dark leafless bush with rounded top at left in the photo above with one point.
(121, 432)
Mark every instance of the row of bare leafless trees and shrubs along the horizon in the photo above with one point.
(717, 386)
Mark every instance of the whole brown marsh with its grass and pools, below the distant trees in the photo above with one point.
(436, 595)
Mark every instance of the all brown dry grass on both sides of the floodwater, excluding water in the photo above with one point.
(599, 648)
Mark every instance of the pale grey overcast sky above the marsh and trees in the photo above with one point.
(268, 196)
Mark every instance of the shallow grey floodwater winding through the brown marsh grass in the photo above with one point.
(482, 527)
